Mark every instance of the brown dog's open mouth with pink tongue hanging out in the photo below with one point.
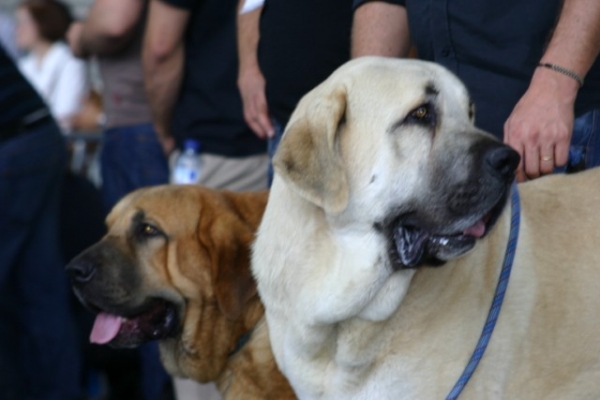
(156, 319)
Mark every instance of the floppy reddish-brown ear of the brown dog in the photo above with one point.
(229, 240)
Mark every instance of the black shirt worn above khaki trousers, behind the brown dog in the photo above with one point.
(209, 107)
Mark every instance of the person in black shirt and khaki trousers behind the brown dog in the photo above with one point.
(190, 68)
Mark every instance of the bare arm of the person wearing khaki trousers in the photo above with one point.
(163, 55)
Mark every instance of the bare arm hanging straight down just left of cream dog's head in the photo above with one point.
(251, 81)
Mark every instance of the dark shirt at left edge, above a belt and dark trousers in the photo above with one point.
(17, 97)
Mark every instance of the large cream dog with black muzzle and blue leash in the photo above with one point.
(381, 175)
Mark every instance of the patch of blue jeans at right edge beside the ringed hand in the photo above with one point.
(585, 143)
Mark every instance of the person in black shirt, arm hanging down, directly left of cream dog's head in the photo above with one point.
(286, 48)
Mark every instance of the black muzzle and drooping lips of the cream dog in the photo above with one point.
(460, 206)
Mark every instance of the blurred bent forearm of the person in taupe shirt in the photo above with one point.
(109, 27)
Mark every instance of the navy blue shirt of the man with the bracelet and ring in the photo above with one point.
(493, 46)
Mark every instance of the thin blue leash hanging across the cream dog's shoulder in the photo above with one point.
(490, 323)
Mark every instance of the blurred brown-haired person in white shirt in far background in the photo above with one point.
(59, 77)
